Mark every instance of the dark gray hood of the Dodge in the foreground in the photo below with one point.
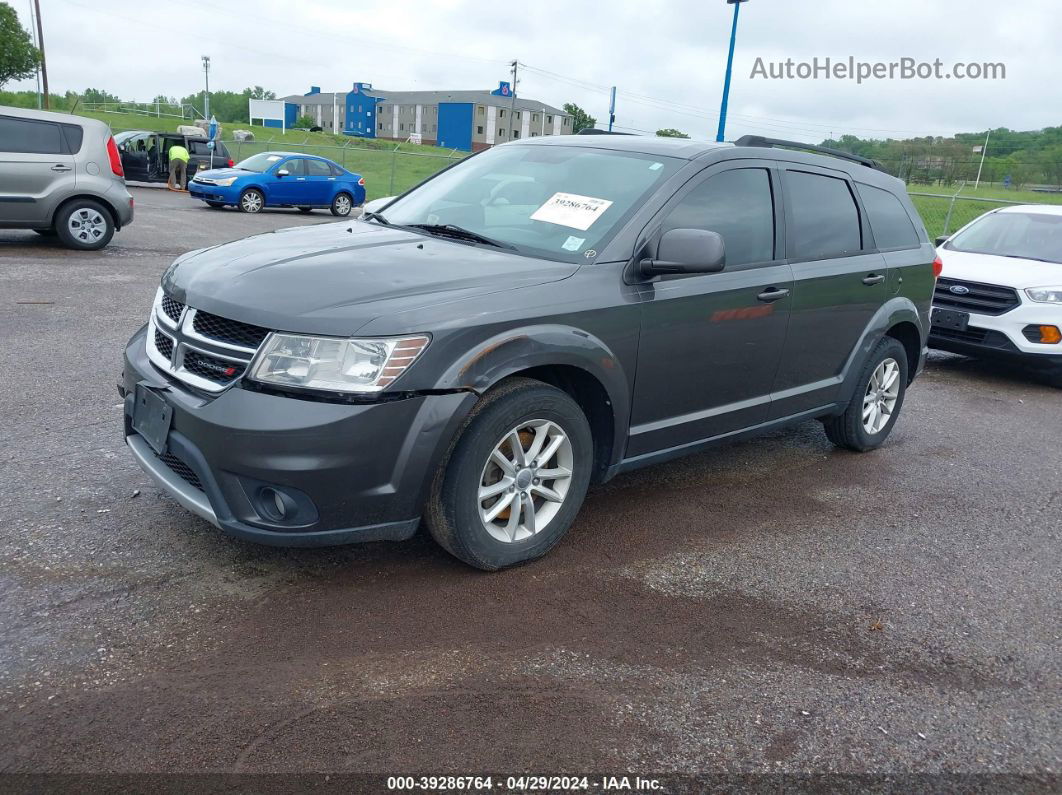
(334, 279)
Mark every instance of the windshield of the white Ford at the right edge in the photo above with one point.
(1025, 235)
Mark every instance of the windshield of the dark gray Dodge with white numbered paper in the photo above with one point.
(552, 201)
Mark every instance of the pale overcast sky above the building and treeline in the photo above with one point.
(667, 59)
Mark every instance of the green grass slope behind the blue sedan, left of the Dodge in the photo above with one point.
(388, 167)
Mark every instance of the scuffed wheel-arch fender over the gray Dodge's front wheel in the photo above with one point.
(520, 350)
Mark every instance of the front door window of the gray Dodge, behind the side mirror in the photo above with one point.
(740, 206)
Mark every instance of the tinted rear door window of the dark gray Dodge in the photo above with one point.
(825, 215)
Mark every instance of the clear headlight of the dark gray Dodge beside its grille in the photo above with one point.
(334, 364)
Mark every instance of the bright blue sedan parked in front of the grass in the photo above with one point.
(281, 180)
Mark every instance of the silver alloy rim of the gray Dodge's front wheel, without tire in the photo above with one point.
(525, 481)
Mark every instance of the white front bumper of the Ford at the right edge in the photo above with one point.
(1001, 337)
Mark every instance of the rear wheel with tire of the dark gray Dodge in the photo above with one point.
(887, 366)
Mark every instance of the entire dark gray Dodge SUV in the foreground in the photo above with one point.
(538, 318)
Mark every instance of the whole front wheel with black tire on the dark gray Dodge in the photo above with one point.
(538, 416)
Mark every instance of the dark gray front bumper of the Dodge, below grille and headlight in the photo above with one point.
(356, 472)
